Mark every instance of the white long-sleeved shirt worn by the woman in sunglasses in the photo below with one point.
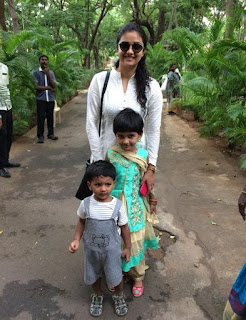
(115, 100)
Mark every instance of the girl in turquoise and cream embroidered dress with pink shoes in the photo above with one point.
(131, 164)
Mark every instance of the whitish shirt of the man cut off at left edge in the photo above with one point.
(5, 102)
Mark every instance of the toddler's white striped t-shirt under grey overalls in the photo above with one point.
(103, 211)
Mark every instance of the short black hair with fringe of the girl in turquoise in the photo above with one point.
(128, 120)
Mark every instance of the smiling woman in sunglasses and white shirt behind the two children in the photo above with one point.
(129, 86)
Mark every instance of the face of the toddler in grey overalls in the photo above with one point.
(102, 187)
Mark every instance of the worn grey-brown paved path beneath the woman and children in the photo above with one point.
(202, 237)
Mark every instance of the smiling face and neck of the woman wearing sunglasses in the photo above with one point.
(130, 58)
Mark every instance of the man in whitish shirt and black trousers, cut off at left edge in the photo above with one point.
(6, 123)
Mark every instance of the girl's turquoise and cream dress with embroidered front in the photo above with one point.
(128, 177)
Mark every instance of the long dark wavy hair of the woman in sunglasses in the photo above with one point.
(142, 75)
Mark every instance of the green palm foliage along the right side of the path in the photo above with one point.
(214, 78)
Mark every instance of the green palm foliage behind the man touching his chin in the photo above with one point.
(20, 53)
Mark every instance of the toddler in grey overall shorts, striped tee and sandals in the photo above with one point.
(102, 218)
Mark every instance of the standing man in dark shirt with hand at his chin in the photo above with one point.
(45, 96)
